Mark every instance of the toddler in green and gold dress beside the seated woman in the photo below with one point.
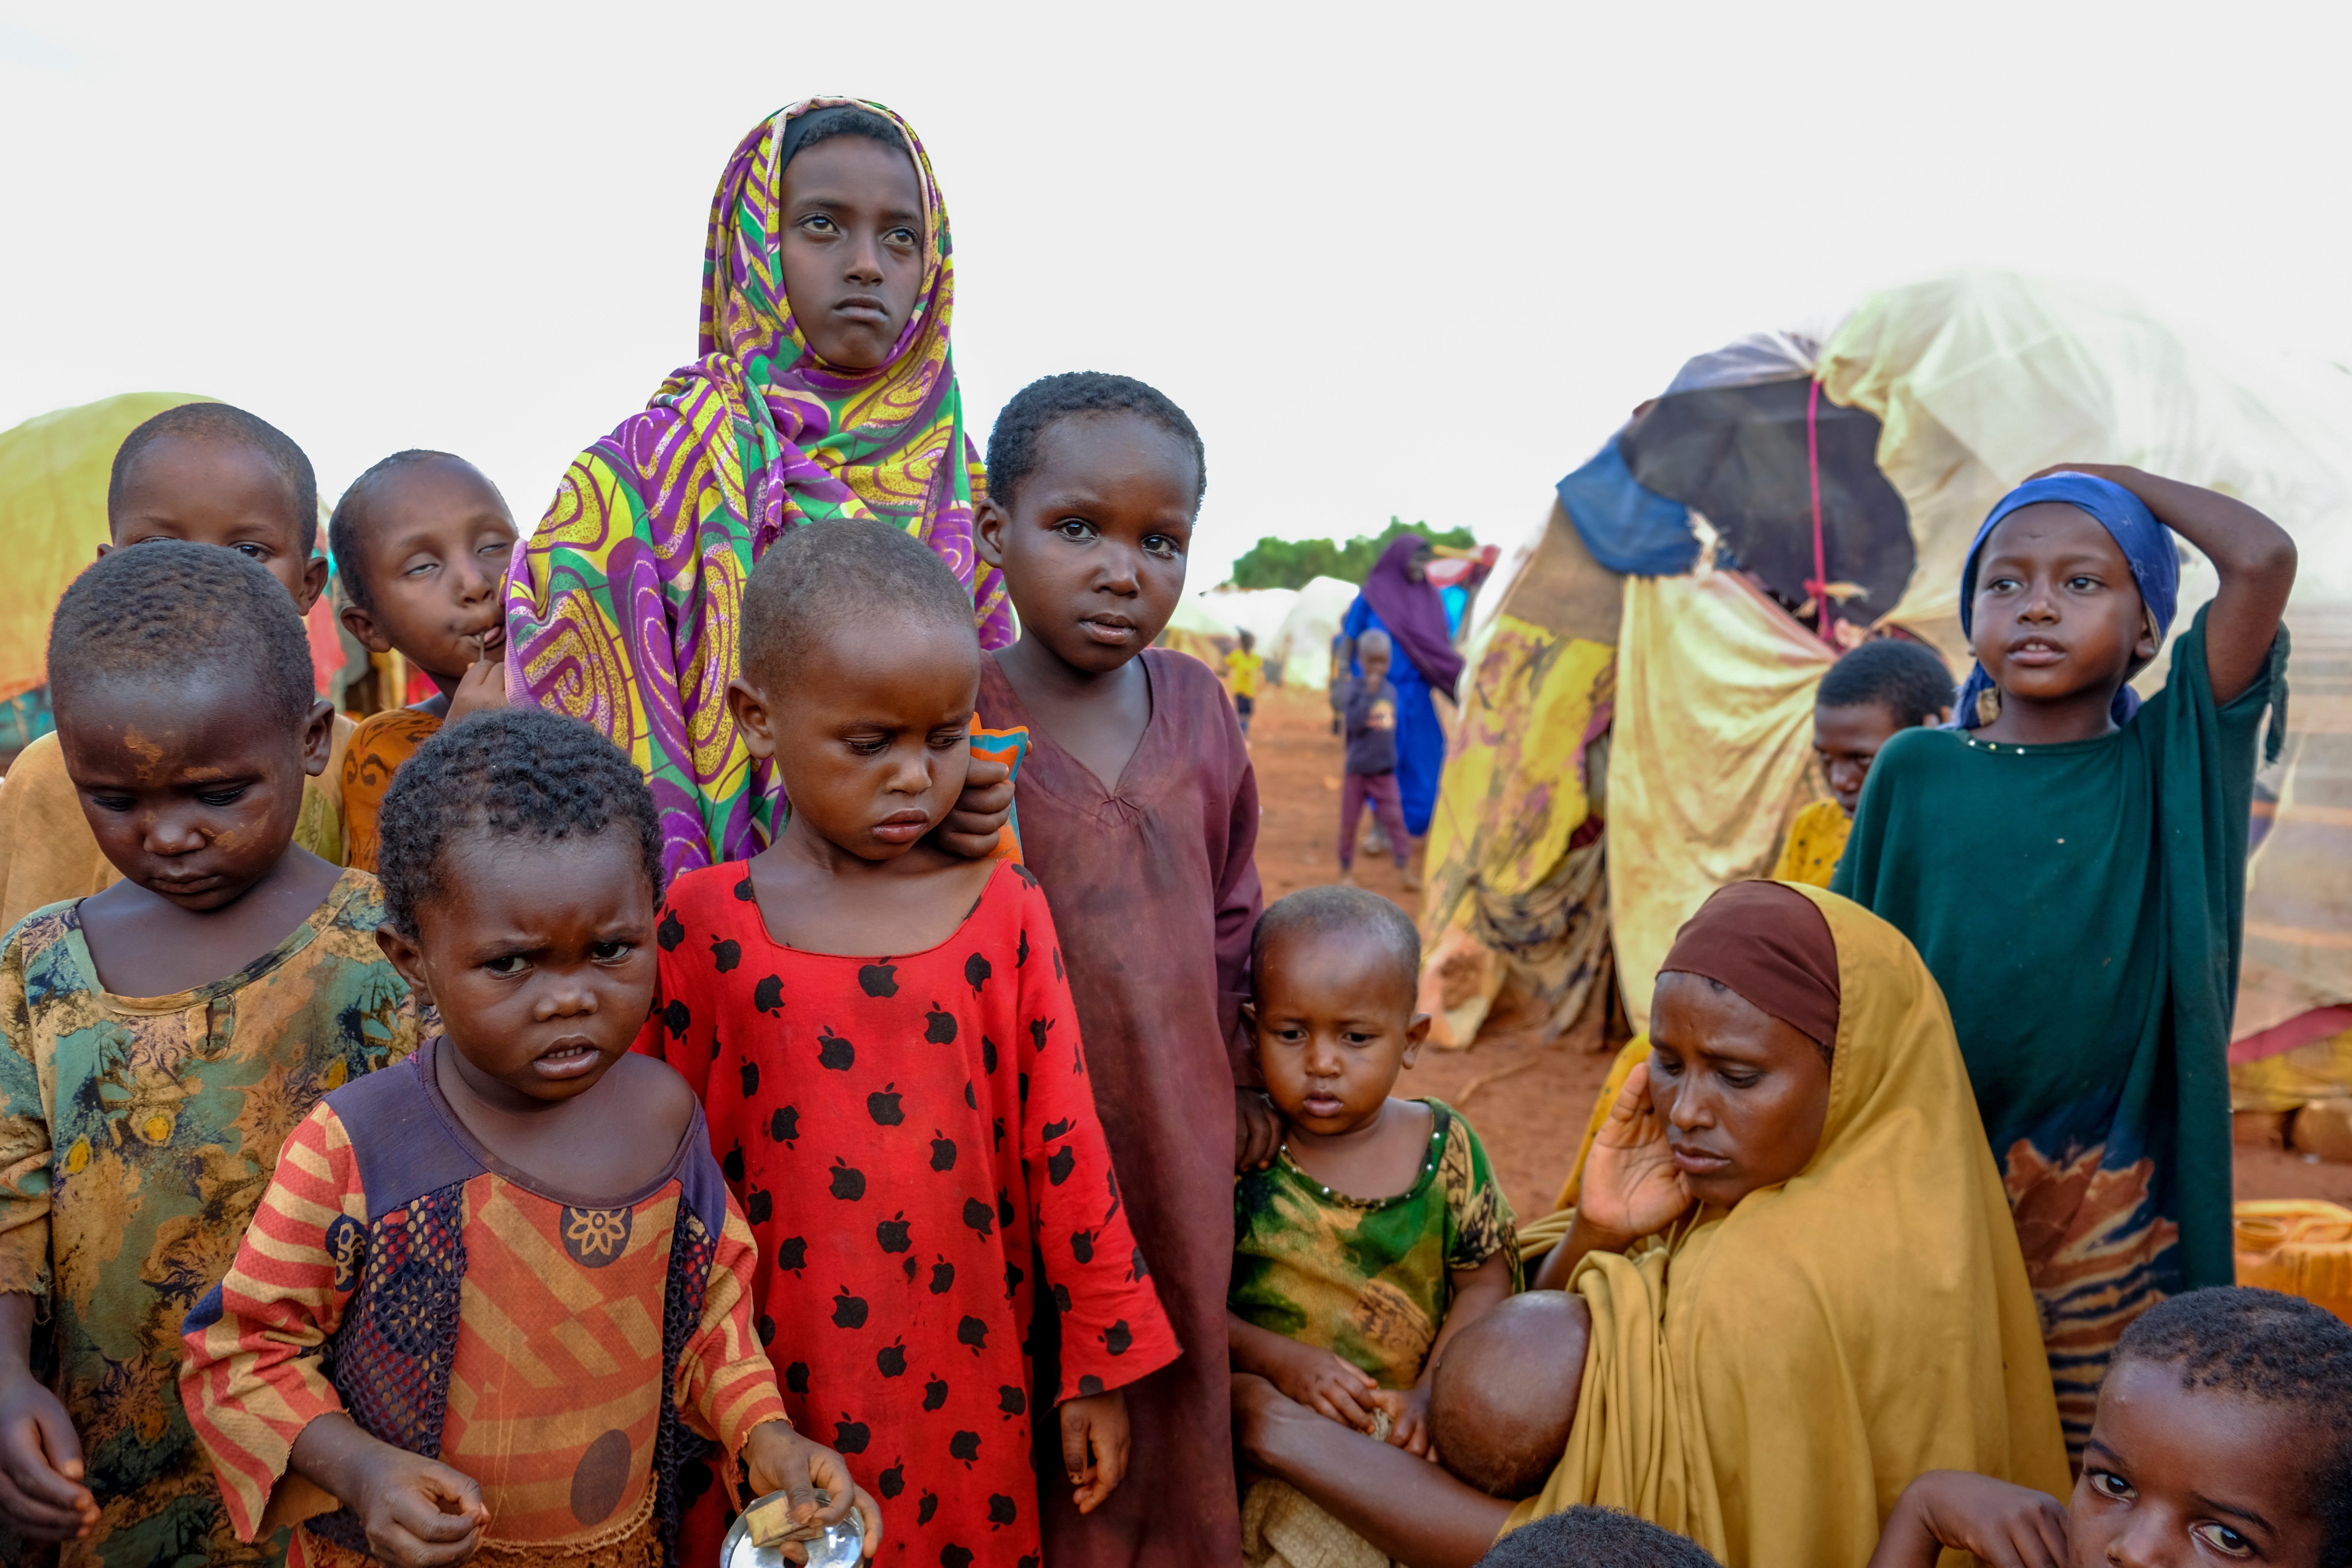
(1379, 1231)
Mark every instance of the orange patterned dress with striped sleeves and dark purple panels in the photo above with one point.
(457, 1311)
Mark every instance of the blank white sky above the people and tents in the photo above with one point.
(1391, 260)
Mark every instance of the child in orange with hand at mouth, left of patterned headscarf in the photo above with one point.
(422, 542)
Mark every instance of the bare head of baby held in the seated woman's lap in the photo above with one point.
(1506, 1388)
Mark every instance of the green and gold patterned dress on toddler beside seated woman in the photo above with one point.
(1370, 1280)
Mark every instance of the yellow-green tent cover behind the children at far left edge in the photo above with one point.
(53, 516)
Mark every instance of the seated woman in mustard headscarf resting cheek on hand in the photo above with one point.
(1800, 1268)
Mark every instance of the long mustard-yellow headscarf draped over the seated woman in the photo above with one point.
(1770, 1381)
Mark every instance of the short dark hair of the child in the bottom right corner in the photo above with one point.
(2269, 1348)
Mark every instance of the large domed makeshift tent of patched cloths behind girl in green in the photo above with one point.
(1758, 518)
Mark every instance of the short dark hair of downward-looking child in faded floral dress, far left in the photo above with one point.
(166, 615)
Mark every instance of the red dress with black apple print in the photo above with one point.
(902, 1134)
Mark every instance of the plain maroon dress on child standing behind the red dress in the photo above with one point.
(1156, 894)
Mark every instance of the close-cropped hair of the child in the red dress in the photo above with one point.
(827, 572)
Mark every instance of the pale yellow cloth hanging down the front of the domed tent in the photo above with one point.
(1713, 756)
